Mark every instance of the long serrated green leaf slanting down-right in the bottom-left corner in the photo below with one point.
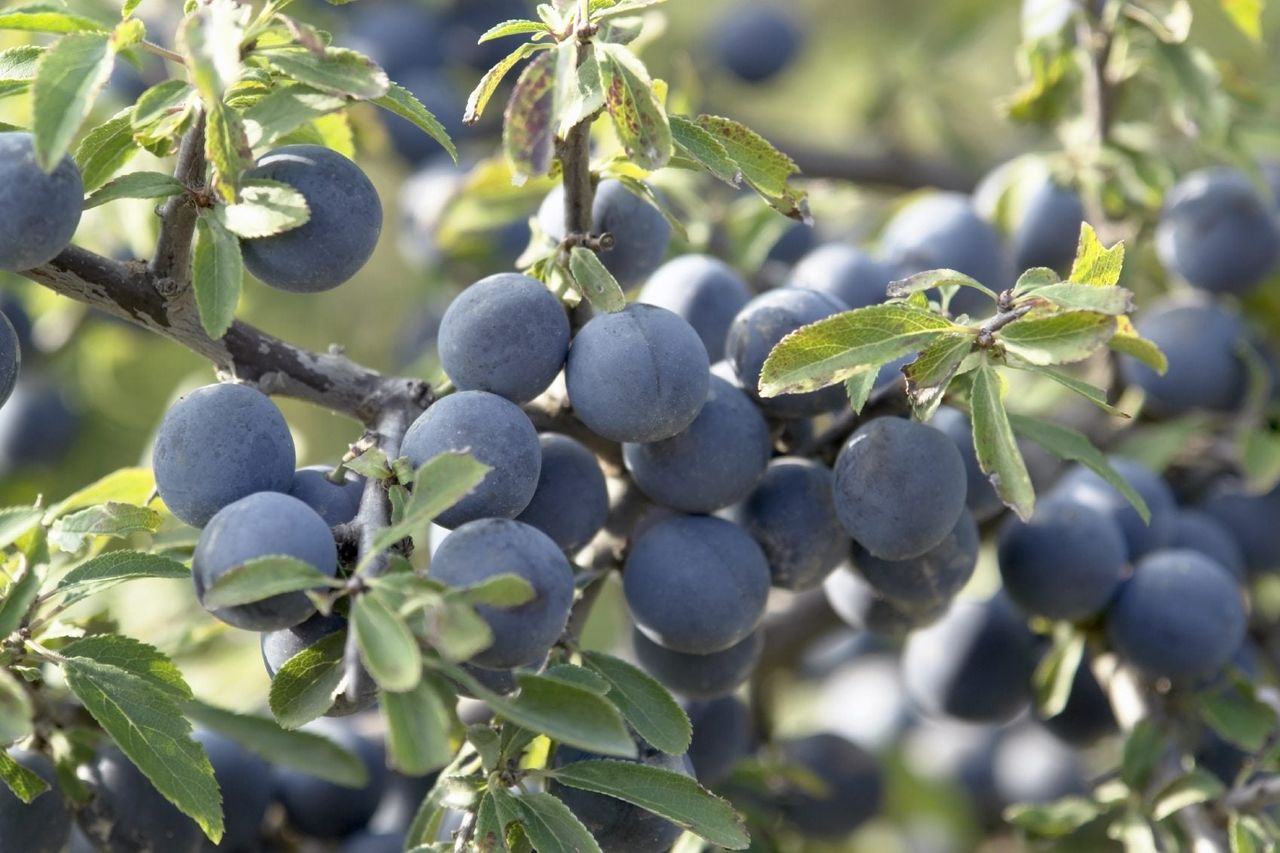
(149, 728)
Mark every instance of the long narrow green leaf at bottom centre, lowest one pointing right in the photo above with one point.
(662, 792)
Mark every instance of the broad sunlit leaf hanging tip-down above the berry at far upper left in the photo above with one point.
(68, 79)
